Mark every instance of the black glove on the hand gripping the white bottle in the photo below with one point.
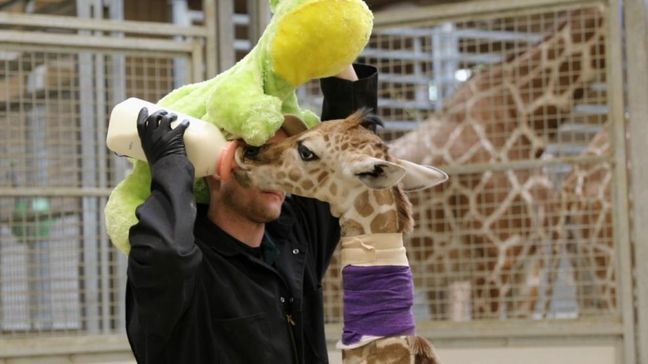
(157, 137)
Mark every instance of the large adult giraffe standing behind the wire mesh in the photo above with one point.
(485, 232)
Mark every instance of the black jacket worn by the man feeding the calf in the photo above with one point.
(197, 295)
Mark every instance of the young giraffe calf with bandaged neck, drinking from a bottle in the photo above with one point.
(345, 164)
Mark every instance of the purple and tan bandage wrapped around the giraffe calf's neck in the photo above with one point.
(378, 289)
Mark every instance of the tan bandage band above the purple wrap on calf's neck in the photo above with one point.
(373, 249)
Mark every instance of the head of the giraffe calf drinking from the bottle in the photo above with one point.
(332, 162)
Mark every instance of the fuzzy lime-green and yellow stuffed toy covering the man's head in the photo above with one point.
(305, 40)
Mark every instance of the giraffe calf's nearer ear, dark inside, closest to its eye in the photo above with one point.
(377, 173)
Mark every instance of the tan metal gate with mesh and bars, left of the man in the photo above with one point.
(62, 284)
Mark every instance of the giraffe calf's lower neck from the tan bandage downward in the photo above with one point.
(378, 287)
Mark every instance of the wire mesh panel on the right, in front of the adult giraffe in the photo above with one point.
(486, 98)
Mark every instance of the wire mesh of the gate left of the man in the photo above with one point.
(58, 271)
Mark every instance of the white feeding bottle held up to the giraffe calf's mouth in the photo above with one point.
(204, 142)
